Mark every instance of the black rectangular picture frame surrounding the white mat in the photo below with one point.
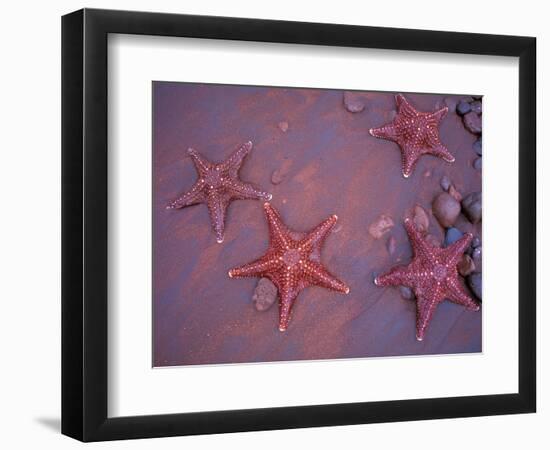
(84, 224)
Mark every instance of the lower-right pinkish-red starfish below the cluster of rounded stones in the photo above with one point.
(432, 275)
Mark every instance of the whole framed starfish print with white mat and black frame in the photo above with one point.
(276, 224)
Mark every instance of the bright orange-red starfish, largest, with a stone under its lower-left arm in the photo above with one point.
(292, 262)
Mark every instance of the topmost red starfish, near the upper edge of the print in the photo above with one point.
(415, 132)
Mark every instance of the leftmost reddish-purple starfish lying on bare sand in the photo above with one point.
(218, 185)
